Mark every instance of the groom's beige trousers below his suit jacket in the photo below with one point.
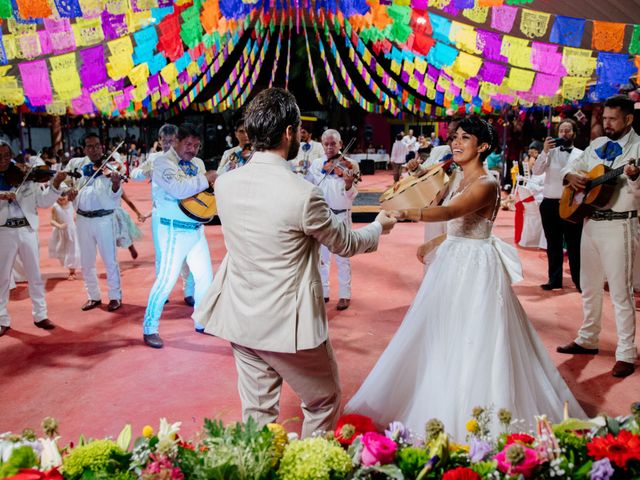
(312, 374)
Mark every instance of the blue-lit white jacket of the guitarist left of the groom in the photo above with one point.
(172, 184)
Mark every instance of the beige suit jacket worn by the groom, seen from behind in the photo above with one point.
(267, 293)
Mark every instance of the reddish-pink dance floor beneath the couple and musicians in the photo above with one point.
(94, 374)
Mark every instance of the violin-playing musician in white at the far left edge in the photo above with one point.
(19, 199)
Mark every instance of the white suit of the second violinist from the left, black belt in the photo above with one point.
(95, 204)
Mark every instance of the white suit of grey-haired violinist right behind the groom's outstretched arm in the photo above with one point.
(340, 202)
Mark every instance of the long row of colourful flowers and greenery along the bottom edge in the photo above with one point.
(603, 448)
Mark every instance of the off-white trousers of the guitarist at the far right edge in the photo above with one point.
(607, 252)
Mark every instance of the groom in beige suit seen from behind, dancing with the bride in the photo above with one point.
(267, 297)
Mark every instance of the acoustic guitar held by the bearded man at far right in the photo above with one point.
(576, 205)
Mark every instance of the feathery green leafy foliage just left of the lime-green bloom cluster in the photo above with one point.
(235, 452)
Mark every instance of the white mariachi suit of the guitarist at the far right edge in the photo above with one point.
(607, 251)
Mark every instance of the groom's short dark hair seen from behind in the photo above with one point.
(268, 116)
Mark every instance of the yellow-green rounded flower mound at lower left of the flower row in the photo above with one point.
(95, 457)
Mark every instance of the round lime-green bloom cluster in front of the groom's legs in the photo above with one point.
(314, 459)
